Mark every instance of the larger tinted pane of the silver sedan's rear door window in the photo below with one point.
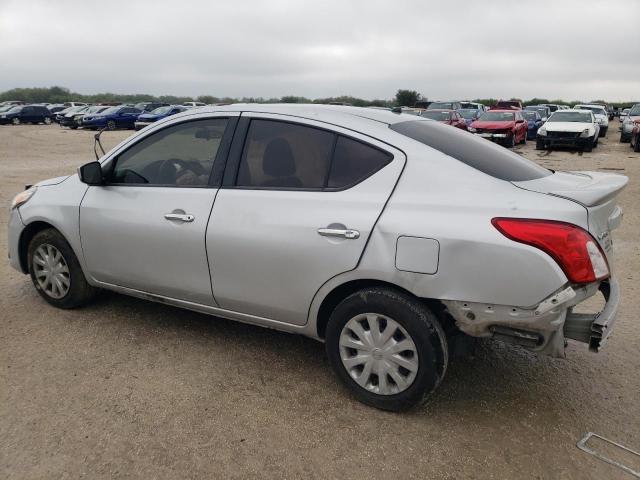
(285, 155)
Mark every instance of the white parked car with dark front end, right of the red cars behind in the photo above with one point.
(569, 128)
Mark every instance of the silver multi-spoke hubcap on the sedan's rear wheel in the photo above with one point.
(378, 353)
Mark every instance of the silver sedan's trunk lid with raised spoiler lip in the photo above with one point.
(595, 191)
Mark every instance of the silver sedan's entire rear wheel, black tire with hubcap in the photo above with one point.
(413, 324)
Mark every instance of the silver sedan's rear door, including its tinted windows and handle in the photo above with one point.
(297, 206)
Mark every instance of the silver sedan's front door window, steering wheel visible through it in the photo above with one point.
(181, 155)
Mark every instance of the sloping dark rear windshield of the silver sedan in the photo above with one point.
(478, 153)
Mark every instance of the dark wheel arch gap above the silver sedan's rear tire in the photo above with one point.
(342, 291)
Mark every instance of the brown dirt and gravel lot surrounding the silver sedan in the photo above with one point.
(132, 389)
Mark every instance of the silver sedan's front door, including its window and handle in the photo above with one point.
(145, 229)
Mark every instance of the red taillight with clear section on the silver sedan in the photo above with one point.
(575, 250)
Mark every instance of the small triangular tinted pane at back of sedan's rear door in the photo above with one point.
(354, 161)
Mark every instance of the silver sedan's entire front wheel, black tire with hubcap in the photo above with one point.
(48, 249)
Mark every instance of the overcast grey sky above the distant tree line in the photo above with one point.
(454, 49)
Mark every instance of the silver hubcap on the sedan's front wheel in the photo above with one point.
(51, 271)
